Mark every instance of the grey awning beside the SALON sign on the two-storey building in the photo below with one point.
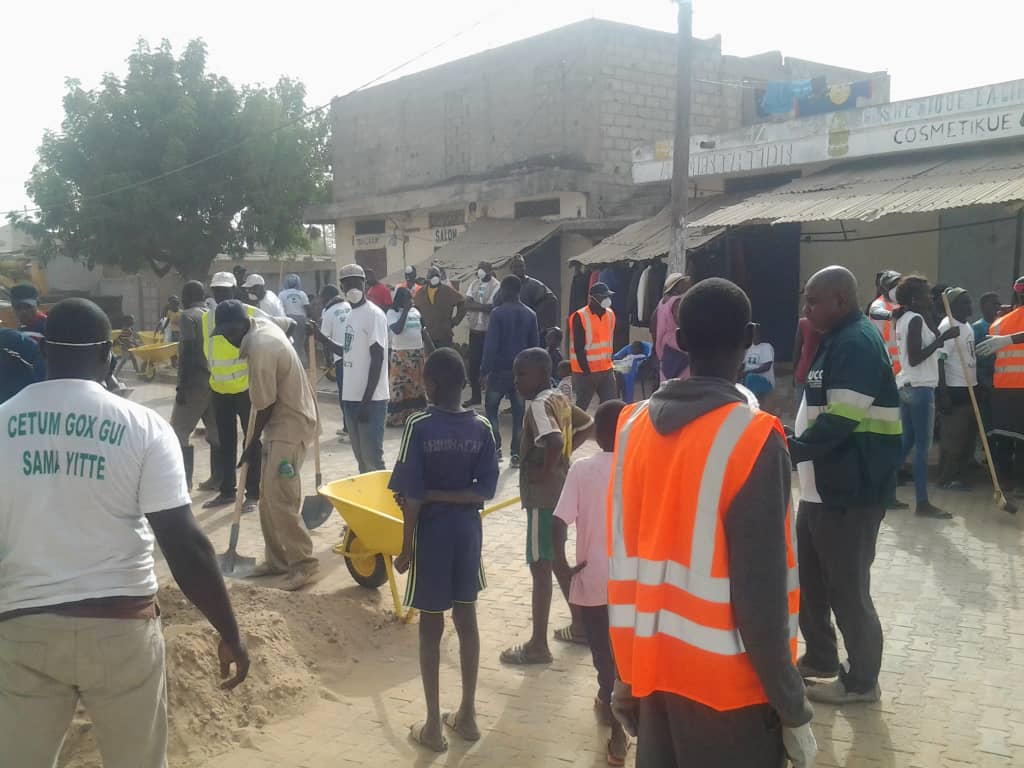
(496, 241)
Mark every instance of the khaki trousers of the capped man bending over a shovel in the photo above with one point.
(289, 547)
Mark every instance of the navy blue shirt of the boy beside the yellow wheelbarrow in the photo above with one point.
(442, 451)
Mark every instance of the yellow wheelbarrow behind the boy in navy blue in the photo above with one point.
(373, 535)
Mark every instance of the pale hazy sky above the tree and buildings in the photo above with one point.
(927, 47)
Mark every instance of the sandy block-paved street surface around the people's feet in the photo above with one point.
(949, 595)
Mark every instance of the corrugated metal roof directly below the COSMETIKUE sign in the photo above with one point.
(871, 190)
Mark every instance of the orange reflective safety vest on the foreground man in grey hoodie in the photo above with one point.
(670, 609)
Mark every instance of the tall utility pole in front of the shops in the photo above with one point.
(681, 143)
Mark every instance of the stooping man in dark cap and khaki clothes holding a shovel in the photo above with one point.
(286, 425)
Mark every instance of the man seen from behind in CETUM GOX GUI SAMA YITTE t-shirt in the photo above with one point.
(91, 481)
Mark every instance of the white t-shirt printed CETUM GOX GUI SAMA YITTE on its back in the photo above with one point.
(80, 471)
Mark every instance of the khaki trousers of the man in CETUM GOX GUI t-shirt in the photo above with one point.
(114, 666)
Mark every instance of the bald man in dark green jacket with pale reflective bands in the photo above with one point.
(847, 450)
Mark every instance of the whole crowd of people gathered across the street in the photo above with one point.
(692, 578)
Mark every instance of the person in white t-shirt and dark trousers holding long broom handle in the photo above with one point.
(954, 402)
